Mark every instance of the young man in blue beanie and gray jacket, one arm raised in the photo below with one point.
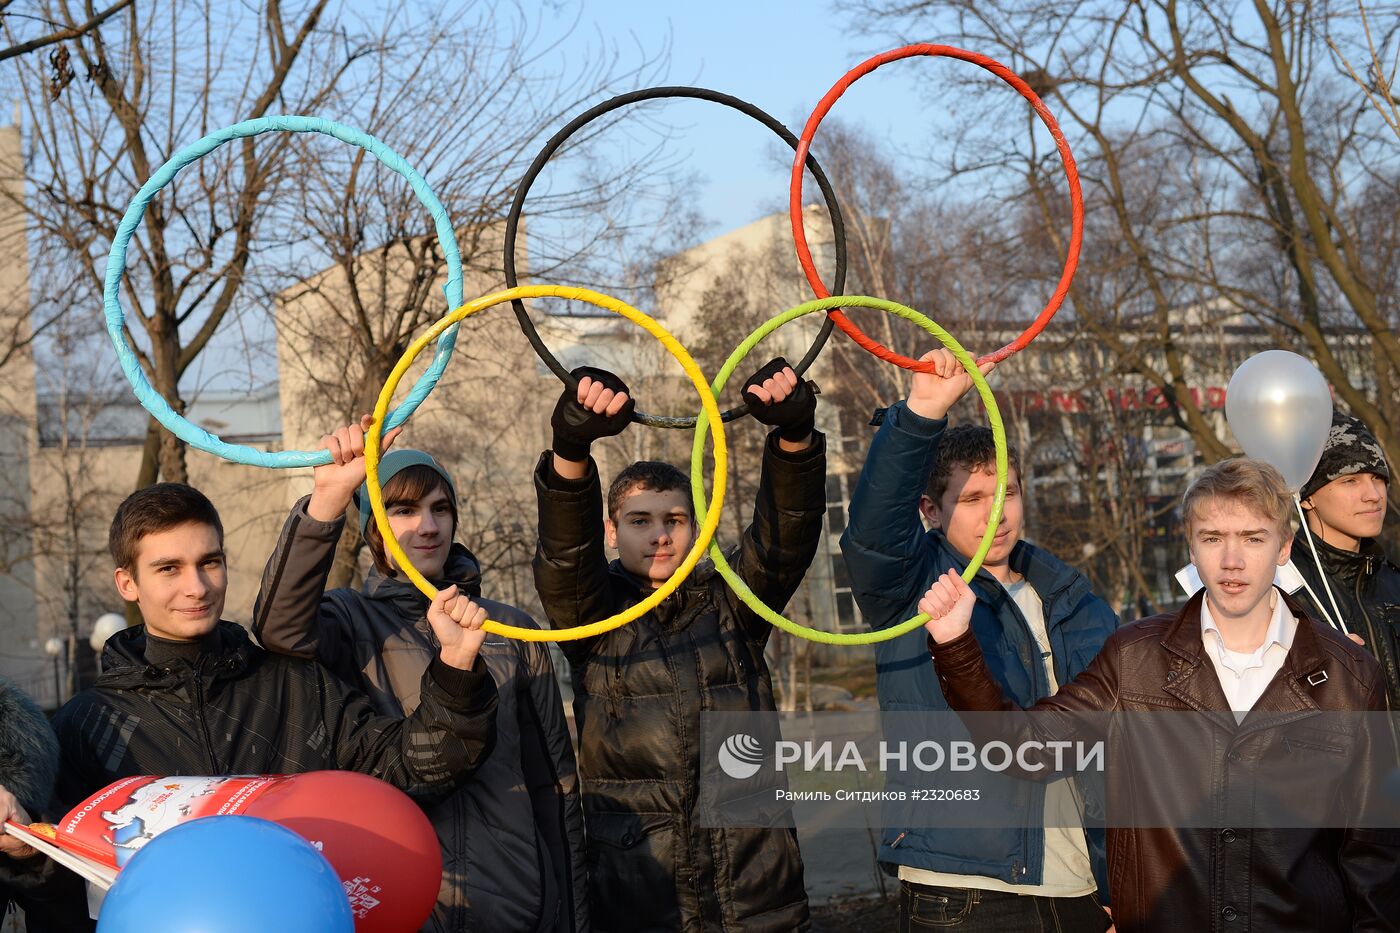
(513, 838)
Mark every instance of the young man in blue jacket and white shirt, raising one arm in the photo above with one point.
(1039, 626)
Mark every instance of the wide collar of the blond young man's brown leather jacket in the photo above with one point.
(1192, 679)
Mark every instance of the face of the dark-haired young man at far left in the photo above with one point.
(178, 581)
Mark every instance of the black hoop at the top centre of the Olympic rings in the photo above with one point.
(834, 209)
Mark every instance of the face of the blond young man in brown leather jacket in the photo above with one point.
(1237, 551)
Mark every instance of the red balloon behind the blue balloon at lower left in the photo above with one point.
(374, 836)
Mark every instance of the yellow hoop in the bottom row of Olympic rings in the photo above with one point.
(712, 421)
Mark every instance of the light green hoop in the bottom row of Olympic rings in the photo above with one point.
(999, 434)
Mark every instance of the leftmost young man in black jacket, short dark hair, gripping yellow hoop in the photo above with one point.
(188, 694)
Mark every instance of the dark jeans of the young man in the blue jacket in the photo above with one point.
(972, 911)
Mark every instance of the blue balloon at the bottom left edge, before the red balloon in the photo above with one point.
(227, 875)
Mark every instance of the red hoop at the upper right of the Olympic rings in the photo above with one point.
(1072, 173)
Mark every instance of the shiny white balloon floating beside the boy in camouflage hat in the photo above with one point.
(1280, 408)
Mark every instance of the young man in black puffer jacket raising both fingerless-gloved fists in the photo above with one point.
(640, 690)
